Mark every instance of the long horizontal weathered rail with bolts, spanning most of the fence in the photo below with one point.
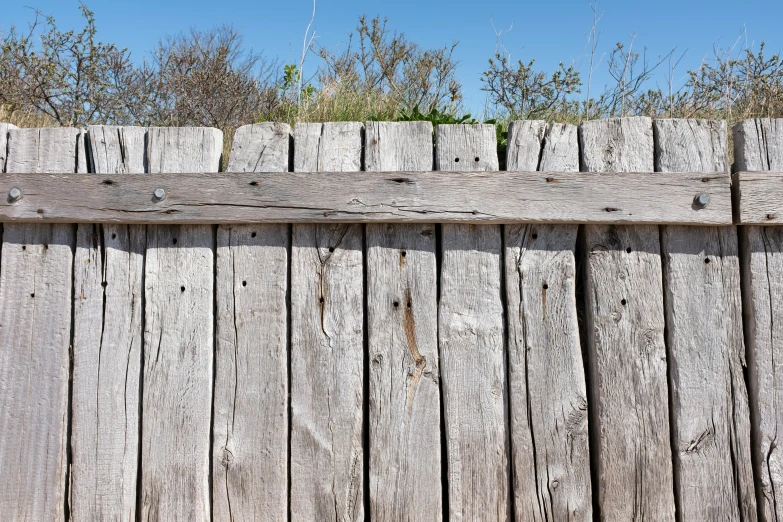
(318, 197)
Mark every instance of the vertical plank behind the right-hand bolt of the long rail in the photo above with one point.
(713, 477)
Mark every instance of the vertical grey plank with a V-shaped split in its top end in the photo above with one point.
(547, 391)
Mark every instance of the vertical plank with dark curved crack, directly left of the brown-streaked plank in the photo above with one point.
(327, 341)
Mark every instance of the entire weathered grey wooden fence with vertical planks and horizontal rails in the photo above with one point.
(421, 346)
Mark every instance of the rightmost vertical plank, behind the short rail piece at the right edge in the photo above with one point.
(758, 146)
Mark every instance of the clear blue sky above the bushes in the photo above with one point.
(549, 31)
